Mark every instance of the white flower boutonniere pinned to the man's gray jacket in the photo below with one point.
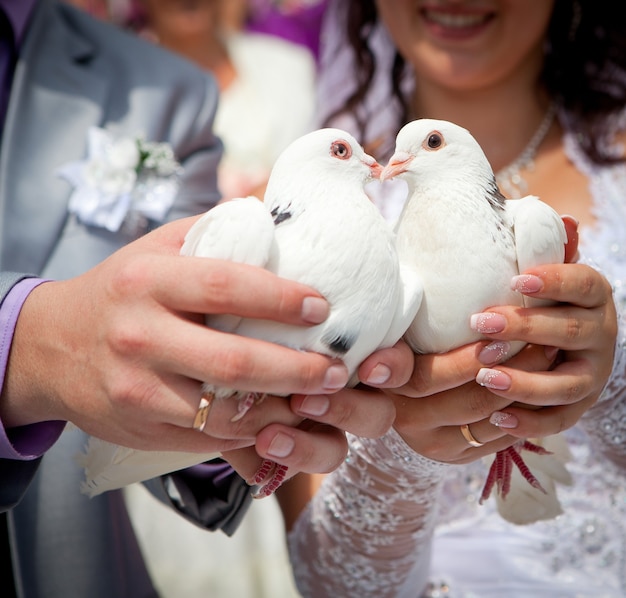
(120, 178)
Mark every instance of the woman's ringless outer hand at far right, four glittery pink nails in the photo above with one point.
(583, 326)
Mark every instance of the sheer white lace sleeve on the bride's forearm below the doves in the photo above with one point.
(368, 529)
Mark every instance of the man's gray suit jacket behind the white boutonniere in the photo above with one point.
(75, 72)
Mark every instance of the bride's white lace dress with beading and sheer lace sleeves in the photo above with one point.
(390, 522)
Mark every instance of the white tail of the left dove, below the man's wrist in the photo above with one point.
(110, 466)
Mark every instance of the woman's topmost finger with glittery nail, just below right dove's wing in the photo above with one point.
(577, 284)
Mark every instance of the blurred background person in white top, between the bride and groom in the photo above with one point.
(266, 83)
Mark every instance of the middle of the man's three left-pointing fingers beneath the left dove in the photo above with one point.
(364, 413)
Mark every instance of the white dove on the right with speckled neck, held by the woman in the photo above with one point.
(466, 242)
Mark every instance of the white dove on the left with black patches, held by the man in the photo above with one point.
(316, 226)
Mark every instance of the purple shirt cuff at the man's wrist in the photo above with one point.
(23, 443)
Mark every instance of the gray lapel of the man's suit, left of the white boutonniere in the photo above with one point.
(54, 100)
